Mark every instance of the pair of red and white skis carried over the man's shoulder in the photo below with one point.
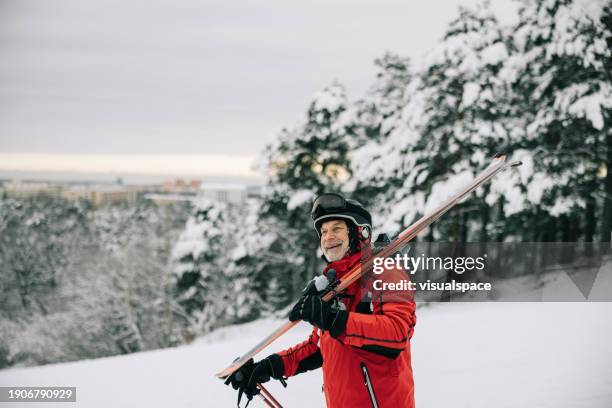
(498, 165)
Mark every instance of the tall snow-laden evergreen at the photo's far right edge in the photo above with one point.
(562, 69)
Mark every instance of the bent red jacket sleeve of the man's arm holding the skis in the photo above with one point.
(390, 326)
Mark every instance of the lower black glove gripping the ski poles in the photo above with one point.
(250, 374)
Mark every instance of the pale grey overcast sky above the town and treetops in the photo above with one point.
(190, 76)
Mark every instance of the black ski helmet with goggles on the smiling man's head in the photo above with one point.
(331, 206)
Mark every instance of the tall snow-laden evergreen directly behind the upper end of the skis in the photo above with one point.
(464, 111)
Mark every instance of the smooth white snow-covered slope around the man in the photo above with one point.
(464, 355)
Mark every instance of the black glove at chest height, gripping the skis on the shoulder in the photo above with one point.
(321, 314)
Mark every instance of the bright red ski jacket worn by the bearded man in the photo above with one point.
(368, 365)
